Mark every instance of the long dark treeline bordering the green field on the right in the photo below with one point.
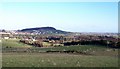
(106, 43)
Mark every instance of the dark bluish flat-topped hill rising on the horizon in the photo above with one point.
(44, 30)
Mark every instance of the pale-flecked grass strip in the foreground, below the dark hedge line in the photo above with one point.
(56, 60)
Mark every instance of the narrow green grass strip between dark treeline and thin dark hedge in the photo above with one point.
(76, 48)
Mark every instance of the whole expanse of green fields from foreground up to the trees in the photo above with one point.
(100, 56)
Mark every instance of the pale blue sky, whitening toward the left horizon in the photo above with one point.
(67, 16)
